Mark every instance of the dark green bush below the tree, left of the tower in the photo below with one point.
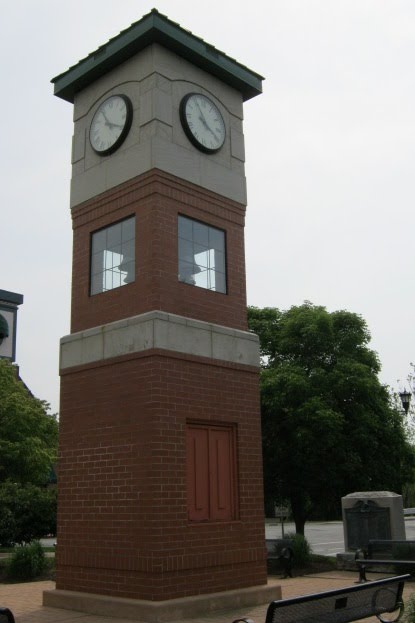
(28, 512)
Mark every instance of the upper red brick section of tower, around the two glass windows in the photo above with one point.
(156, 199)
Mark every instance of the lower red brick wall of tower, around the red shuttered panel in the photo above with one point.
(122, 519)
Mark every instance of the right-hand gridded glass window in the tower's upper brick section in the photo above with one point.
(202, 260)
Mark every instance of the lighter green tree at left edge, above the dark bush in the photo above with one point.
(28, 433)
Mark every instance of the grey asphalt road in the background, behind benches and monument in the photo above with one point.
(325, 538)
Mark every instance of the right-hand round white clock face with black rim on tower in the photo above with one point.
(202, 122)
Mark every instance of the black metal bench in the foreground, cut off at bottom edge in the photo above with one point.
(381, 598)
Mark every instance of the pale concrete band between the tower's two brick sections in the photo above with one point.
(159, 330)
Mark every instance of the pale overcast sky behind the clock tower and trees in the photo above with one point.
(330, 148)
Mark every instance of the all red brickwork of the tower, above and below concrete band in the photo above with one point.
(123, 528)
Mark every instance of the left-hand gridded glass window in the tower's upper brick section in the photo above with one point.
(113, 256)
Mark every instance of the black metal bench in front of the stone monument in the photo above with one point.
(400, 555)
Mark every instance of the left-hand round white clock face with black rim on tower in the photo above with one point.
(110, 124)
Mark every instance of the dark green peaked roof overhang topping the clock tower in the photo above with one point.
(156, 28)
